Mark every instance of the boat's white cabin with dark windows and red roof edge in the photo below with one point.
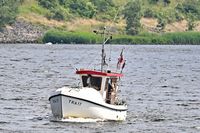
(104, 82)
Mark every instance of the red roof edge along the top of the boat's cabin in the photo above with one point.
(93, 72)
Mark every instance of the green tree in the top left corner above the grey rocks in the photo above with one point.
(8, 11)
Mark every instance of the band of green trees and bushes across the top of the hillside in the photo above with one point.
(165, 11)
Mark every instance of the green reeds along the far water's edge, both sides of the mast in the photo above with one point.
(58, 36)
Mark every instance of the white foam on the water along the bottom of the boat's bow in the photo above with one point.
(77, 120)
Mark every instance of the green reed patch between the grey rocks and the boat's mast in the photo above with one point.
(58, 36)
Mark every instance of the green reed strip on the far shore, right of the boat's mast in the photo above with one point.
(167, 38)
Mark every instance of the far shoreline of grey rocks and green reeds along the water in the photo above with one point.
(22, 32)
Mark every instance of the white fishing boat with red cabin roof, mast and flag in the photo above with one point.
(96, 98)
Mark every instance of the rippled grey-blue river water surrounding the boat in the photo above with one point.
(161, 87)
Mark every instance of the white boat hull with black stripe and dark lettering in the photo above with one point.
(65, 106)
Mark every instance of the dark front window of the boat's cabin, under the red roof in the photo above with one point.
(90, 81)
